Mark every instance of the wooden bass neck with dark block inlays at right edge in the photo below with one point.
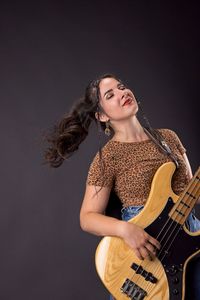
(187, 200)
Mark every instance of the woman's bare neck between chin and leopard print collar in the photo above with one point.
(129, 131)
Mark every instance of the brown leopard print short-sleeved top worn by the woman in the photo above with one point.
(129, 167)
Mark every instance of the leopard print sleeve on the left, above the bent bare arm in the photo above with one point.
(101, 170)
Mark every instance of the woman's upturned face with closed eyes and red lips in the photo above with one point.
(117, 101)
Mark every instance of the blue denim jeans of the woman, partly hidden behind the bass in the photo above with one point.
(193, 270)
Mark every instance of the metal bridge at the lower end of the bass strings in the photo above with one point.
(132, 290)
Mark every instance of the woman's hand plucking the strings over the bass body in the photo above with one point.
(144, 245)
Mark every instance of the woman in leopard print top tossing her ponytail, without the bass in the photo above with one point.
(126, 164)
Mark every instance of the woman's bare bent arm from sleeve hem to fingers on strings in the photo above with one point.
(93, 220)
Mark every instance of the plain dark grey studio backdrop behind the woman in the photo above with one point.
(49, 51)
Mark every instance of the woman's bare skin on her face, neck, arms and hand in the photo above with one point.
(119, 108)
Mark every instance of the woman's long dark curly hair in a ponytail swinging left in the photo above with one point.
(73, 128)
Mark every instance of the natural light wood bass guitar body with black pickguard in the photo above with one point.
(116, 263)
